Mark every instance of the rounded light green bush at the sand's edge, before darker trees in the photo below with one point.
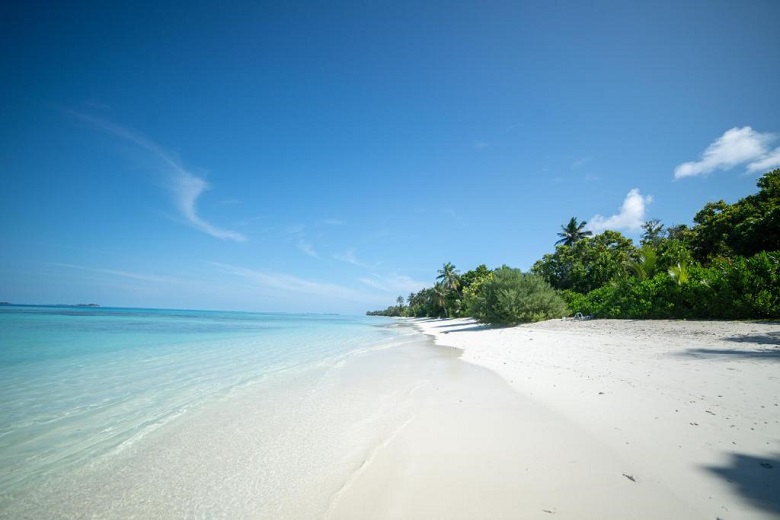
(510, 297)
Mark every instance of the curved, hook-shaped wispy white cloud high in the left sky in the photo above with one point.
(185, 187)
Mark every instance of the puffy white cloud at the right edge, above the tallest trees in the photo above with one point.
(737, 146)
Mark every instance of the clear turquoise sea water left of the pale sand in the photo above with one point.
(78, 383)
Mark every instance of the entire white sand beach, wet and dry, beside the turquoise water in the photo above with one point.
(452, 419)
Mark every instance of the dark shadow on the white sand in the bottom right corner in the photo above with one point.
(755, 479)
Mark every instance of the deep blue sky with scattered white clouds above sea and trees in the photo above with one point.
(330, 156)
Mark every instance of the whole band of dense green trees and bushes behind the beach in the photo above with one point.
(726, 266)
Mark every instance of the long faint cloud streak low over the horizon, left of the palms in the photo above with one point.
(291, 283)
